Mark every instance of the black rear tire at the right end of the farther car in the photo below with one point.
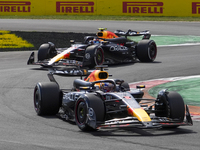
(146, 51)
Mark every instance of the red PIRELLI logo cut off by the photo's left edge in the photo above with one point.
(15, 6)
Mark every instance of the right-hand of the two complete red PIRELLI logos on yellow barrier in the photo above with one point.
(143, 7)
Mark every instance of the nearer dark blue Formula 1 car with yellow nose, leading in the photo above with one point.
(99, 102)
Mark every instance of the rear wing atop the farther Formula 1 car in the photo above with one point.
(146, 34)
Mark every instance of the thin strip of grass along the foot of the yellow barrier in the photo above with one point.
(100, 17)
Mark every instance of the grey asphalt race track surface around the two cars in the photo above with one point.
(22, 129)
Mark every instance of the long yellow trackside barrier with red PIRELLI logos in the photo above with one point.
(101, 7)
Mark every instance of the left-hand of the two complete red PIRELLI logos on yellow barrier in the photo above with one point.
(75, 7)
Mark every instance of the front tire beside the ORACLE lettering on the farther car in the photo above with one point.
(94, 56)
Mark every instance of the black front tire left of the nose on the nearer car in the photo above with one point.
(91, 106)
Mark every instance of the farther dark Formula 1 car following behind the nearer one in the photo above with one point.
(105, 48)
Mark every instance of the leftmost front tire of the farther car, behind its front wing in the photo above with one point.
(46, 51)
